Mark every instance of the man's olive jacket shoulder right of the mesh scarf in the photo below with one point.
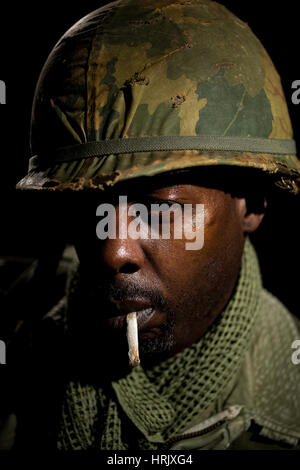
(268, 385)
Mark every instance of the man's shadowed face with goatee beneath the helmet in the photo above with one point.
(177, 293)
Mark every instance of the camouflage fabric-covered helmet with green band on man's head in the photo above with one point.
(141, 88)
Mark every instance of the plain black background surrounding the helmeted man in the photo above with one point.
(28, 33)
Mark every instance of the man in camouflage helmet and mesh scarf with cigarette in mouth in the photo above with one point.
(172, 102)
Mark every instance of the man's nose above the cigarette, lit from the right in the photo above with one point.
(122, 254)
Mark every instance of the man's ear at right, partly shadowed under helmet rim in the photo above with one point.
(251, 213)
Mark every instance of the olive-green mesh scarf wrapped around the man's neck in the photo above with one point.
(148, 407)
